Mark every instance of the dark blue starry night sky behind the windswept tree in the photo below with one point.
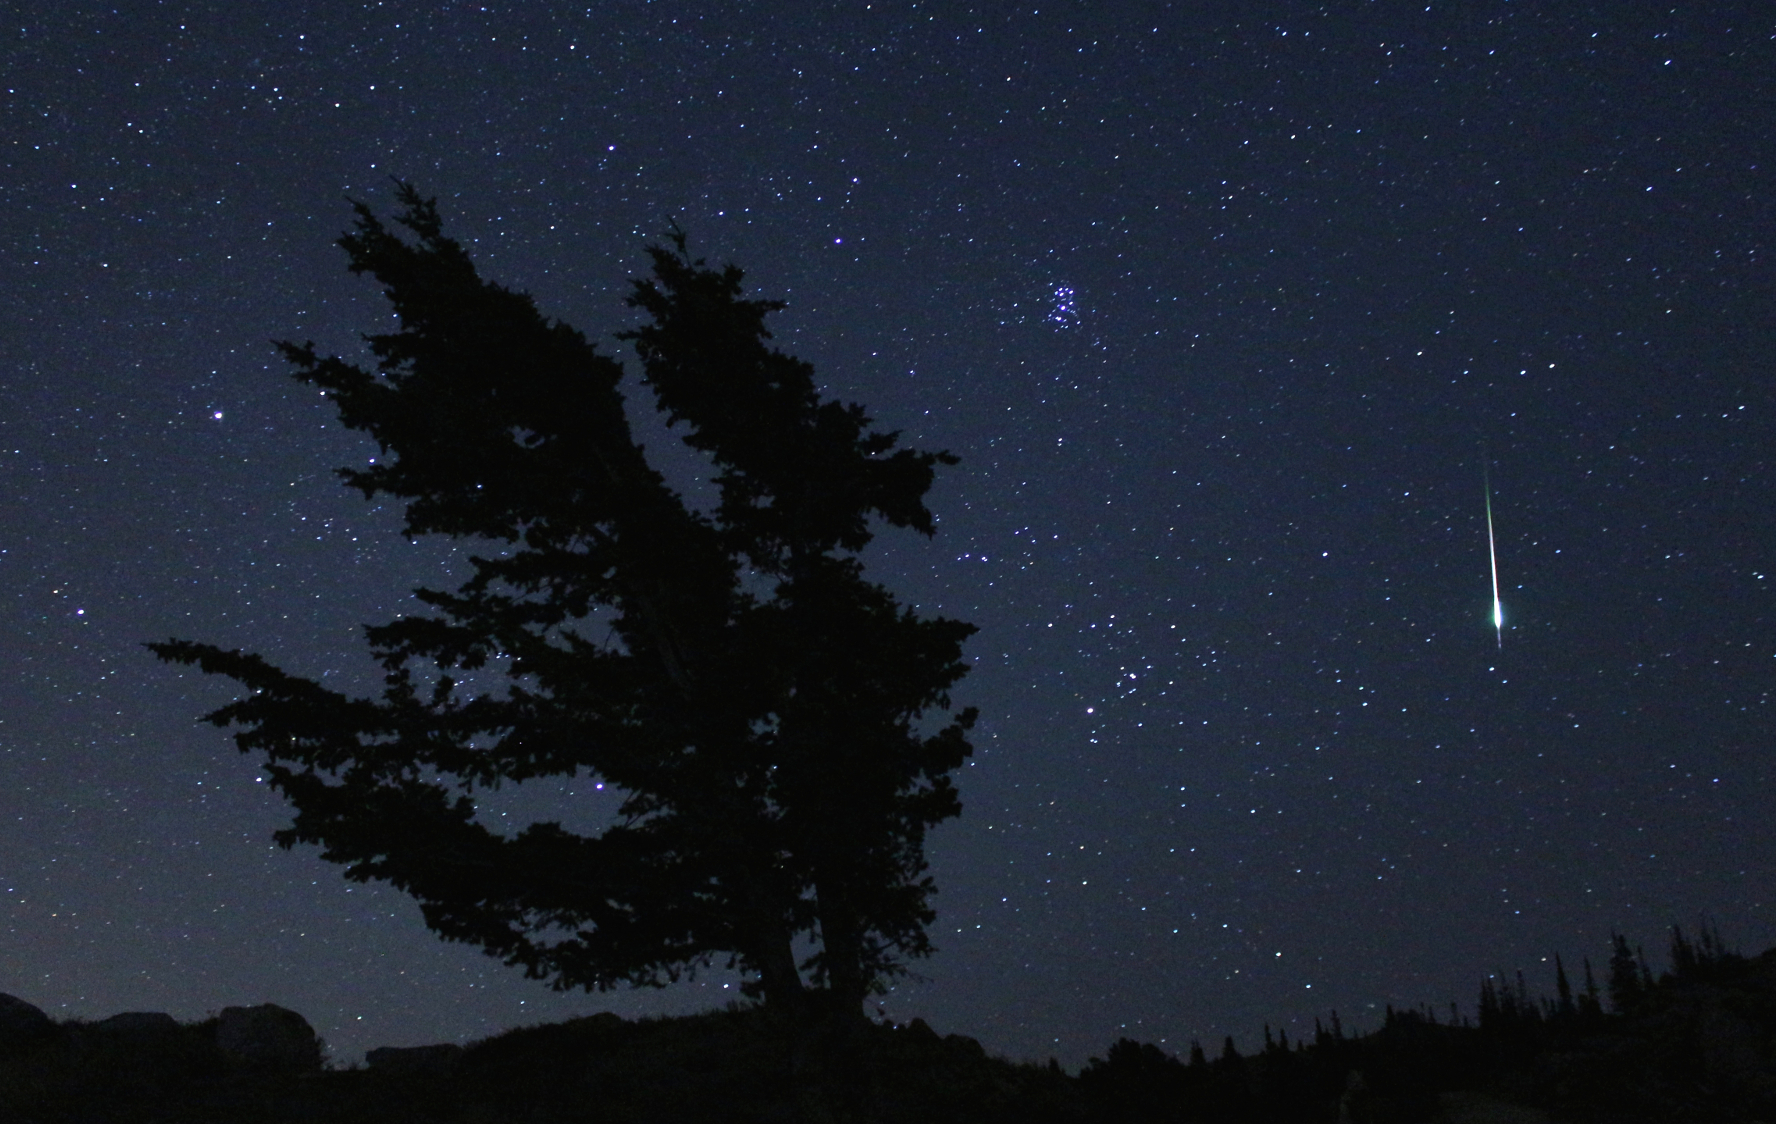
(1226, 310)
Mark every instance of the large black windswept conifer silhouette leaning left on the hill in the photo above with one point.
(779, 727)
